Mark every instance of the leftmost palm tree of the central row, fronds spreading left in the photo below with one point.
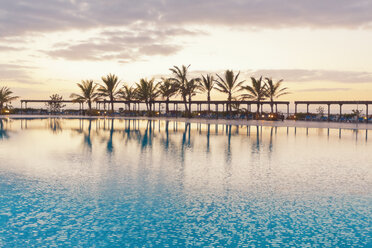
(88, 93)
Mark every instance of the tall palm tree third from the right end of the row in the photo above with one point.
(229, 84)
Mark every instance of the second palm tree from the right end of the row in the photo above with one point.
(256, 92)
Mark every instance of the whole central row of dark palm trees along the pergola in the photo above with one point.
(180, 84)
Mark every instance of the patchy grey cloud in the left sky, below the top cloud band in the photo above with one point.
(125, 45)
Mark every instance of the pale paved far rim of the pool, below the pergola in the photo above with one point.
(285, 123)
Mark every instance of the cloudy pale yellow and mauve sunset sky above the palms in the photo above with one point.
(322, 49)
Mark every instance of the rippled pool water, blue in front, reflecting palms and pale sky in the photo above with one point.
(140, 183)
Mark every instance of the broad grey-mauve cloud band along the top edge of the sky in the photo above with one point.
(19, 17)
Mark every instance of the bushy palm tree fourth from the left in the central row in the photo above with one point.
(147, 91)
